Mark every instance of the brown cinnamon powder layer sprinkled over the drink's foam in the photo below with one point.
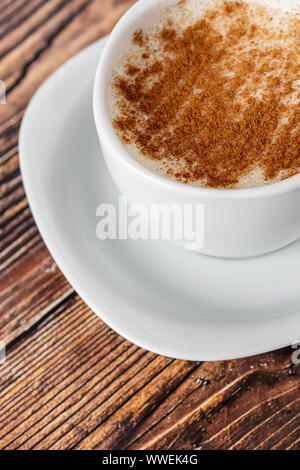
(216, 102)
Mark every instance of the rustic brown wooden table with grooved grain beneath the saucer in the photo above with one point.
(69, 381)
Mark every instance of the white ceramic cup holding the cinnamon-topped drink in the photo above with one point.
(238, 223)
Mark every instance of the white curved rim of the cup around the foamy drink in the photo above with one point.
(108, 135)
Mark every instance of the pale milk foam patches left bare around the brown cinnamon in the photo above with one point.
(273, 15)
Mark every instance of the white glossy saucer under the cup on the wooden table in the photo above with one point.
(153, 293)
